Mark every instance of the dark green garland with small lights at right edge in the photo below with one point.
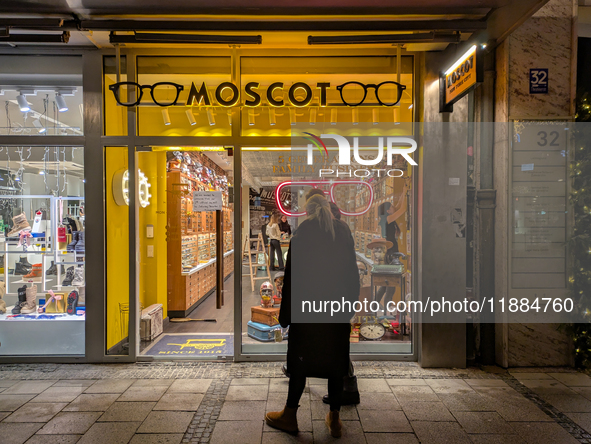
(580, 243)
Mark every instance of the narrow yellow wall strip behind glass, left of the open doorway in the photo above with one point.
(117, 239)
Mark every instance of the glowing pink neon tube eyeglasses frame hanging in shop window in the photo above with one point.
(334, 188)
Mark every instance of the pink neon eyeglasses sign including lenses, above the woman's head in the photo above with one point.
(353, 197)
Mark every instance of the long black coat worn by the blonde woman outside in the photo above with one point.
(319, 268)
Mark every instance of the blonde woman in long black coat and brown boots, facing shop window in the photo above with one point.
(321, 266)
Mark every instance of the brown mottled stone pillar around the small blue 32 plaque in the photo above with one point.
(544, 41)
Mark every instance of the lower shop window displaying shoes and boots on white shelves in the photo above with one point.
(42, 239)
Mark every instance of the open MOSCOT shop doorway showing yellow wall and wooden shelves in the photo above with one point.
(186, 253)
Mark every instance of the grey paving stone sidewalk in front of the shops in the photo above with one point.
(200, 402)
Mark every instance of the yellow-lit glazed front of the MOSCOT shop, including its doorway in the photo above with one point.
(190, 283)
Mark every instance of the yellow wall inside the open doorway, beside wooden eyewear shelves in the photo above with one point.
(153, 270)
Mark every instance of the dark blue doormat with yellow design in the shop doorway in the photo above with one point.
(189, 344)
